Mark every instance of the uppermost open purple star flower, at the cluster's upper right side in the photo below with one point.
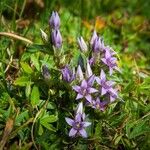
(110, 61)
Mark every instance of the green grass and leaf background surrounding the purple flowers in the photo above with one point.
(28, 103)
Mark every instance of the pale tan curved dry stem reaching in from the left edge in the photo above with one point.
(12, 35)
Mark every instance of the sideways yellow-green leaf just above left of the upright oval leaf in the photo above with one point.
(22, 81)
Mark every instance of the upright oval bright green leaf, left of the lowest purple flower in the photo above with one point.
(35, 96)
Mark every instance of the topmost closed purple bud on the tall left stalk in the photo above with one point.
(54, 21)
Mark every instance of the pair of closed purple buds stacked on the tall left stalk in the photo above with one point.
(55, 33)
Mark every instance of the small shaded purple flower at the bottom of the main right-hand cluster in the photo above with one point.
(97, 104)
